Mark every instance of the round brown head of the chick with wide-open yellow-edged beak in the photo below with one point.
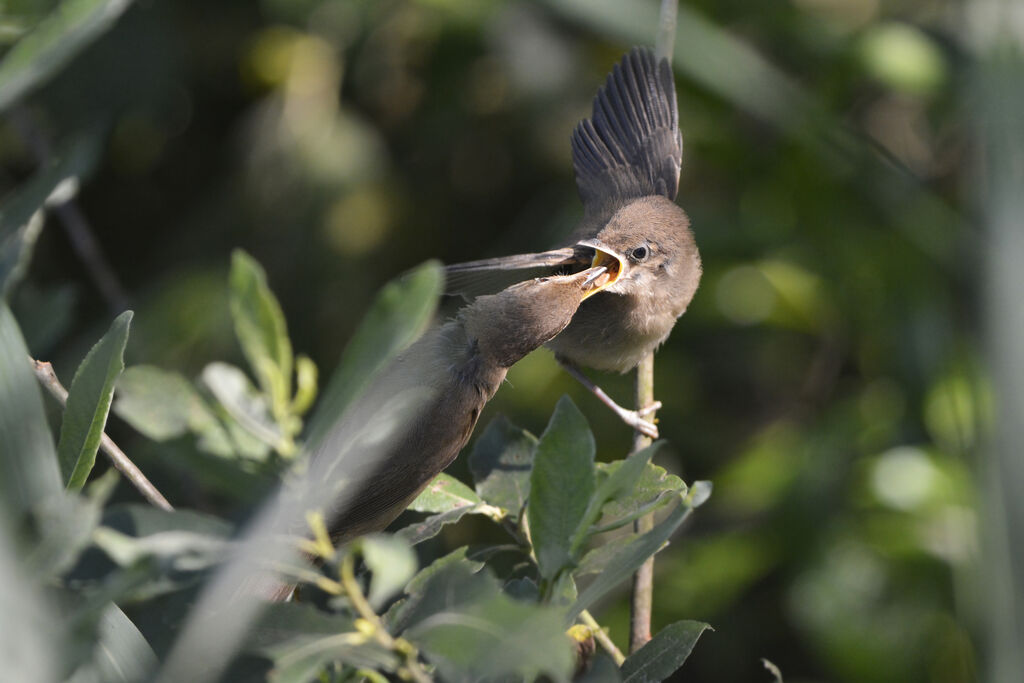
(650, 241)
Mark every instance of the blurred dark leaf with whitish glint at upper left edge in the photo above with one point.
(22, 215)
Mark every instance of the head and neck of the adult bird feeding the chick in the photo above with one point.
(510, 325)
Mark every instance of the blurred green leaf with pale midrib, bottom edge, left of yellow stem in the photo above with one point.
(303, 641)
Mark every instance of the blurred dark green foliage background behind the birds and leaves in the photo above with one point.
(827, 378)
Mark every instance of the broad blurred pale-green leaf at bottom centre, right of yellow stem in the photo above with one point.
(471, 630)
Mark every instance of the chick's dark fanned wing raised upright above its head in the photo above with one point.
(631, 147)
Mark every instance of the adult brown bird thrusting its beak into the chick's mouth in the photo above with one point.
(419, 412)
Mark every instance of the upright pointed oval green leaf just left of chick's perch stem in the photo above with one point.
(562, 487)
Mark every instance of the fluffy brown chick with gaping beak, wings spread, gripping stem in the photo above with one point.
(627, 159)
